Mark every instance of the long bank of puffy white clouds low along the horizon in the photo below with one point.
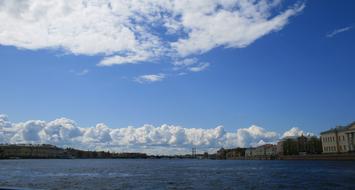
(166, 139)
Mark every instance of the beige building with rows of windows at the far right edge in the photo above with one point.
(339, 140)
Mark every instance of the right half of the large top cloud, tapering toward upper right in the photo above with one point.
(237, 24)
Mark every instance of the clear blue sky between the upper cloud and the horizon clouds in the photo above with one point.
(299, 74)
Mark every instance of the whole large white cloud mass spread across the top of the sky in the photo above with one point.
(127, 32)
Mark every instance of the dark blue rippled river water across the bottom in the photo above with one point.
(176, 174)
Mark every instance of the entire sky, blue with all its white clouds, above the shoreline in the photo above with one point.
(164, 76)
